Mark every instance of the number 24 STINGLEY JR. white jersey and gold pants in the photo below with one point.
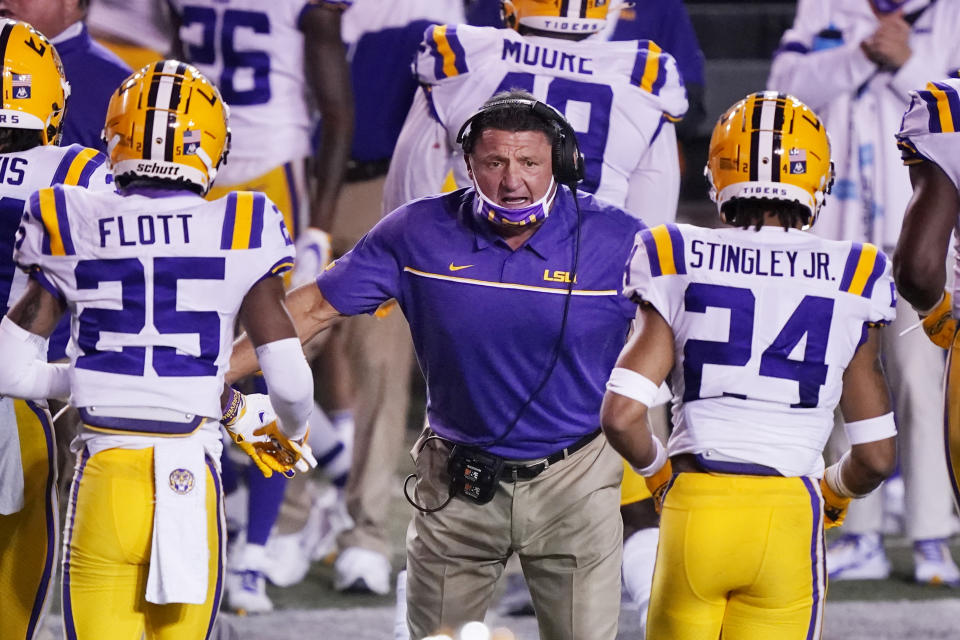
(765, 324)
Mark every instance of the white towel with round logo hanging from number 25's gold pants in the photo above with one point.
(179, 558)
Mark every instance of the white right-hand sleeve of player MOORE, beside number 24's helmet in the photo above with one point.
(654, 185)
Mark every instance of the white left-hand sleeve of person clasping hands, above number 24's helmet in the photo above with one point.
(798, 69)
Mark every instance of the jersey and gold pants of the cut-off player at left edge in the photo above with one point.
(28, 505)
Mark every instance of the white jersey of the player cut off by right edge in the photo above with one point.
(931, 131)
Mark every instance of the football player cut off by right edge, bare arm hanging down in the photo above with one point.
(928, 142)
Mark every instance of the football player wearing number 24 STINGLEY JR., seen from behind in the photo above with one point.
(760, 328)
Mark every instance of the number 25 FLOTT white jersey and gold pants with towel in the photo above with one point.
(154, 280)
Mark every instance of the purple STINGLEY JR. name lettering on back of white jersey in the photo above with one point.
(781, 263)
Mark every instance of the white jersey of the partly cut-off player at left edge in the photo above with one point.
(22, 173)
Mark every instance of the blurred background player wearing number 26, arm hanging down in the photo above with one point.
(274, 62)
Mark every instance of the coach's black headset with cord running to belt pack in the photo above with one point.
(473, 472)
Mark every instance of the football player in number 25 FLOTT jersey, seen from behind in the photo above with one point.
(153, 277)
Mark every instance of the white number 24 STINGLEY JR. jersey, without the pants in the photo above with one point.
(765, 324)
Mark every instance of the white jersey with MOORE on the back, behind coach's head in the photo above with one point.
(617, 96)
